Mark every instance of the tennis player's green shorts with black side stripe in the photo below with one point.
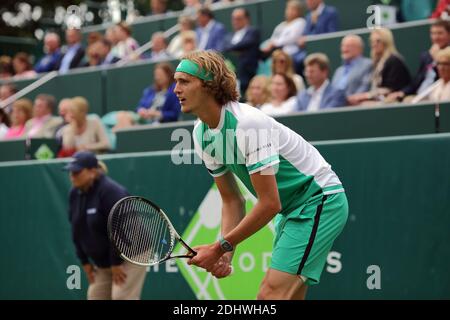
(305, 236)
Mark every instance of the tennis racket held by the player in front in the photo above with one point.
(142, 233)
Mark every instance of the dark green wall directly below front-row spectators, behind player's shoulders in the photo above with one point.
(343, 123)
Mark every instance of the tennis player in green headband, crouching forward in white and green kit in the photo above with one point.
(289, 177)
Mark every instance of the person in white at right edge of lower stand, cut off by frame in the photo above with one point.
(440, 90)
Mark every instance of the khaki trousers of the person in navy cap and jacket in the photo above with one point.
(103, 287)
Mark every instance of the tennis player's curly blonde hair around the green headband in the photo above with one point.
(224, 86)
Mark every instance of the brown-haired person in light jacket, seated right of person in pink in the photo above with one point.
(43, 124)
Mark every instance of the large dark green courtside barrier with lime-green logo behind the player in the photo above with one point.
(398, 222)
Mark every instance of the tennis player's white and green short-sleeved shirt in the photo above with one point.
(247, 141)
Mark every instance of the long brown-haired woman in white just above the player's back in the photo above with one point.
(282, 97)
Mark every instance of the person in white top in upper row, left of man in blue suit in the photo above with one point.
(286, 34)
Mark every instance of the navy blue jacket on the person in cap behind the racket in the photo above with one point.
(88, 215)
